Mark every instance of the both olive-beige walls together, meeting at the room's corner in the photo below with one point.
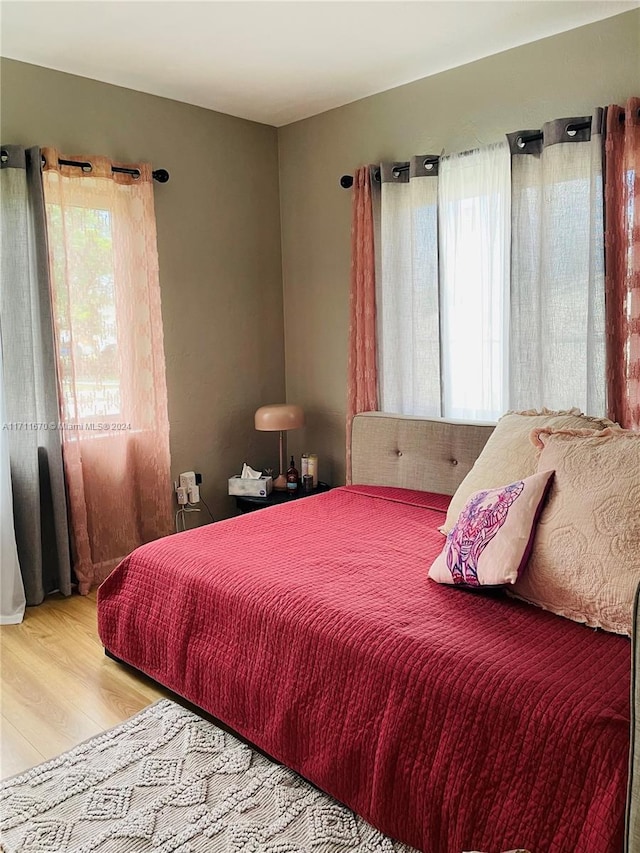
(219, 221)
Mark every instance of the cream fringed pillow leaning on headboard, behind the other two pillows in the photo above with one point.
(509, 454)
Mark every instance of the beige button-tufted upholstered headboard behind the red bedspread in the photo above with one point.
(414, 453)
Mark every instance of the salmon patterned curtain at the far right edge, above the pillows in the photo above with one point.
(622, 247)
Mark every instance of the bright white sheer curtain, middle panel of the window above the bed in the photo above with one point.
(474, 222)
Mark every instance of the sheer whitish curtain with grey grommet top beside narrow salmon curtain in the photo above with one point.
(407, 298)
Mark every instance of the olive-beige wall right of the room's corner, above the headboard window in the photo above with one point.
(469, 106)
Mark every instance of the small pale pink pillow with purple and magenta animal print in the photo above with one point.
(492, 538)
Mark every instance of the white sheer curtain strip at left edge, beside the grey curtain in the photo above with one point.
(11, 587)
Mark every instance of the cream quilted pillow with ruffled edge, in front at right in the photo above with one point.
(585, 562)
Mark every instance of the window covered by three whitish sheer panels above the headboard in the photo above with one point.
(515, 308)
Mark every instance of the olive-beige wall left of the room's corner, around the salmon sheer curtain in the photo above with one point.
(219, 248)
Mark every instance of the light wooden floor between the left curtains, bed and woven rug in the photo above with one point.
(57, 687)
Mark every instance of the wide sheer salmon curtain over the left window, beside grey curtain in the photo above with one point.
(110, 358)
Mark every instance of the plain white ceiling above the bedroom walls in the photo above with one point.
(277, 62)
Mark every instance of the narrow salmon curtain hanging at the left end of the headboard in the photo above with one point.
(362, 381)
